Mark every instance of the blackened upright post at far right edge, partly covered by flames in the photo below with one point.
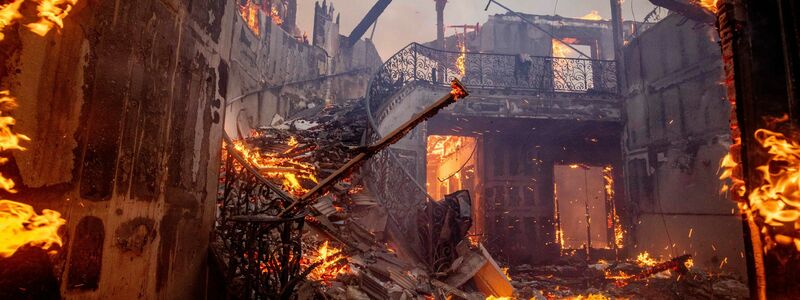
(759, 48)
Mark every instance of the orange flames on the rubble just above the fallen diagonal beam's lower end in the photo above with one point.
(276, 166)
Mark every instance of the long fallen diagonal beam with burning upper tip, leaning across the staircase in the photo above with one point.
(458, 91)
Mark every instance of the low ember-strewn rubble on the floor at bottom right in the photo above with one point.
(573, 278)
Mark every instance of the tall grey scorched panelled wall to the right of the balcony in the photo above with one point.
(675, 137)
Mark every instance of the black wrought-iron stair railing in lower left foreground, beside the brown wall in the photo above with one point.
(261, 252)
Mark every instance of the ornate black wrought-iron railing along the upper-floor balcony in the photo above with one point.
(416, 62)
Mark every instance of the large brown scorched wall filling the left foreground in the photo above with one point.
(124, 106)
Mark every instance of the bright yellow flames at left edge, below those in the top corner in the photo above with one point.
(19, 223)
